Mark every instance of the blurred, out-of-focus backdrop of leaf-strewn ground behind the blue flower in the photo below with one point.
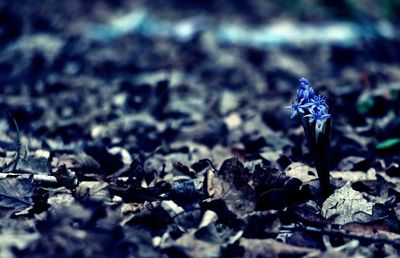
(141, 74)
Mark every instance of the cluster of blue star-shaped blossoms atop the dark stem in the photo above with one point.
(309, 105)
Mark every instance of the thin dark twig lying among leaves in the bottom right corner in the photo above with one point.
(340, 233)
